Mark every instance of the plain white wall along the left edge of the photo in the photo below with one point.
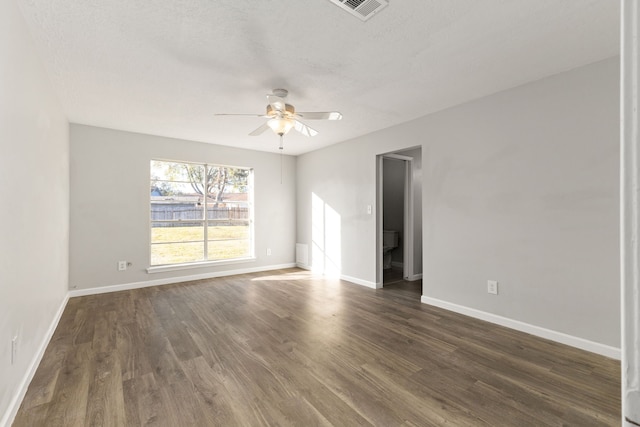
(34, 189)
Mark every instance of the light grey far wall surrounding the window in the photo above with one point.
(110, 204)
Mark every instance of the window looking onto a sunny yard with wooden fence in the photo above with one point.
(200, 213)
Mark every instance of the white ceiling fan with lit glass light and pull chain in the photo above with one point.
(283, 117)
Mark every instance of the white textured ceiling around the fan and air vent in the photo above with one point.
(164, 67)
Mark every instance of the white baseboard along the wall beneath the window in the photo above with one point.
(170, 280)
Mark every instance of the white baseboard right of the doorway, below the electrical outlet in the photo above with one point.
(581, 343)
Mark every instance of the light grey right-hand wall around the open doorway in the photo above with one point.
(520, 187)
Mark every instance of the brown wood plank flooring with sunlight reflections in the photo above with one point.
(284, 348)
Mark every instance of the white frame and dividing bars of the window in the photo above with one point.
(205, 222)
